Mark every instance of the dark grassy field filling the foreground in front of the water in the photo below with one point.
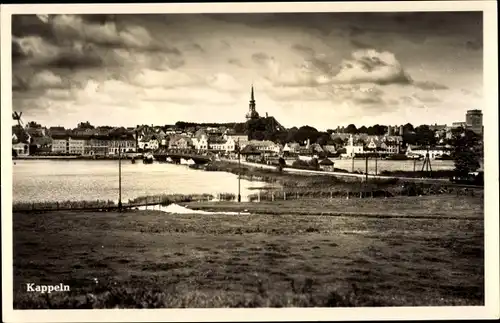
(142, 259)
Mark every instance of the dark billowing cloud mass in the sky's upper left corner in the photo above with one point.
(80, 41)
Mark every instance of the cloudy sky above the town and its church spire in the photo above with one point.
(322, 69)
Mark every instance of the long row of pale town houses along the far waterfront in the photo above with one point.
(111, 141)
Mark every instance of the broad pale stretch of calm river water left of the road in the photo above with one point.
(63, 180)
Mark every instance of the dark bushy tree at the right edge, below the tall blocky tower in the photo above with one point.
(467, 151)
